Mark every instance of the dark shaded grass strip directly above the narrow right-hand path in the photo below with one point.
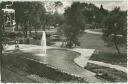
(111, 58)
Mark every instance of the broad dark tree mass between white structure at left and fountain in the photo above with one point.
(29, 15)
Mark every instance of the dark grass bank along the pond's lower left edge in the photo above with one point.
(15, 62)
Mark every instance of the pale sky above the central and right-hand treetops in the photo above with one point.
(107, 4)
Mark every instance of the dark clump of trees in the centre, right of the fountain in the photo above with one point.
(78, 16)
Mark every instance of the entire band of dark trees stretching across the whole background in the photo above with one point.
(34, 15)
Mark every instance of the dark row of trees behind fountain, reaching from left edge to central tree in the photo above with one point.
(33, 15)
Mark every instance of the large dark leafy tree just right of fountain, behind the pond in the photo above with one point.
(74, 22)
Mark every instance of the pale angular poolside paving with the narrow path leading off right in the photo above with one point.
(83, 59)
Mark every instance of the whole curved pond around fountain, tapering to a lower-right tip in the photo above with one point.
(58, 58)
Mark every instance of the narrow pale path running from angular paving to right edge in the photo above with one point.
(120, 68)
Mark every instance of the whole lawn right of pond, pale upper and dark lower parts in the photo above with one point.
(105, 54)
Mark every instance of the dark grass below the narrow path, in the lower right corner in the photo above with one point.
(109, 74)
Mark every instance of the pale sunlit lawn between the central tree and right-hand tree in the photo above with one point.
(93, 41)
